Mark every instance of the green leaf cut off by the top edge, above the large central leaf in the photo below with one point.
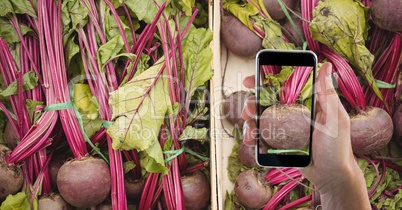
(145, 10)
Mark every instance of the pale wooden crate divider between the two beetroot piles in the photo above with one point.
(237, 69)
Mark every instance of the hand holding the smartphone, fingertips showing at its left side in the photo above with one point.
(333, 164)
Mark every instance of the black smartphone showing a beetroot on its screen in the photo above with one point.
(285, 102)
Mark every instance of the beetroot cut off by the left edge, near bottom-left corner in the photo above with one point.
(11, 177)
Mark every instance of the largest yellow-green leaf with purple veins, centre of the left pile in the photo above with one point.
(139, 109)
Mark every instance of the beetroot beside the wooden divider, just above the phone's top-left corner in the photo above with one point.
(239, 39)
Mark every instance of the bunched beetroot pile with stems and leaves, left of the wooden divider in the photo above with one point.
(104, 104)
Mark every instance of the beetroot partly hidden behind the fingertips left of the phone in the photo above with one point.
(233, 106)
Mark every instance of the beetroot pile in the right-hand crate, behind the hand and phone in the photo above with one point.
(362, 39)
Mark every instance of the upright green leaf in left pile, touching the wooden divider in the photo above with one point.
(197, 56)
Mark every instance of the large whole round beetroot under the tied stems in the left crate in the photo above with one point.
(84, 182)
